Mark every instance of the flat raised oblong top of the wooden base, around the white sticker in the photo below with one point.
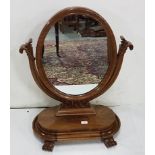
(103, 118)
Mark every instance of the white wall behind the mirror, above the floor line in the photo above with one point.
(125, 18)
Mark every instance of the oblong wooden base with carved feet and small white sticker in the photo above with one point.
(51, 128)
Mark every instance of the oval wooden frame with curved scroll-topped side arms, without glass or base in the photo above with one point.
(115, 60)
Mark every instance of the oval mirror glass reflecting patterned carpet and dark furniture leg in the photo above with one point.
(75, 57)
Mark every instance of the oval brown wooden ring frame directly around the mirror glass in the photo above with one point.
(112, 56)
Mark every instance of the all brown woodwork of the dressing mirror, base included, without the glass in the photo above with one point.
(99, 121)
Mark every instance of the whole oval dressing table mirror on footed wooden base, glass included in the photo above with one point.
(76, 61)
